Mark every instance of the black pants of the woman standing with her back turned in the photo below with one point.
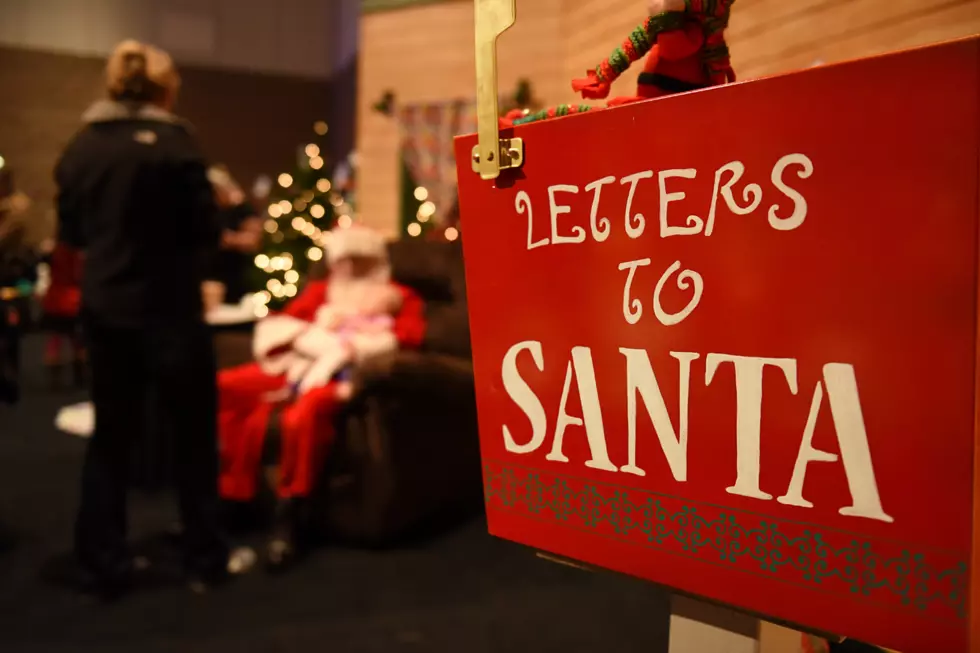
(172, 367)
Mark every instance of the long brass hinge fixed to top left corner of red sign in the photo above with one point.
(492, 154)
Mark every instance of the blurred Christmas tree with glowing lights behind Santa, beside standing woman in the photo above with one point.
(303, 206)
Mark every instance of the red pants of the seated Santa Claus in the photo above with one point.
(306, 431)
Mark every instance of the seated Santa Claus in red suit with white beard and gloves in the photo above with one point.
(303, 356)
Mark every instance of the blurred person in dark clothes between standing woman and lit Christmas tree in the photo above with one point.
(241, 236)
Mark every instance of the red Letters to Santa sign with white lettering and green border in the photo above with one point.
(727, 341)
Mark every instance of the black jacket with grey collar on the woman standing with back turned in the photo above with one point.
(133, 194)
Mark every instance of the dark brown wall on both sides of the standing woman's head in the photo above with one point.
(253, 123)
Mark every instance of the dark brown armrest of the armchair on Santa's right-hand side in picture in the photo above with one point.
(408, 453)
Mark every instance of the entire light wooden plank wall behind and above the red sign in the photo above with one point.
(426, 53)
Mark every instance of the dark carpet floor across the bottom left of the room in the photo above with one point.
(460, 592)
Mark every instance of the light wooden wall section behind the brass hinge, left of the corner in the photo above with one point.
(426, 54)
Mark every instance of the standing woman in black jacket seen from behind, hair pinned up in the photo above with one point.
(133, 194)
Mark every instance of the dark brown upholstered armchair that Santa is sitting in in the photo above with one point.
(407, 453)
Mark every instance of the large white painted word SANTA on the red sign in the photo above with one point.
(838, 384)
